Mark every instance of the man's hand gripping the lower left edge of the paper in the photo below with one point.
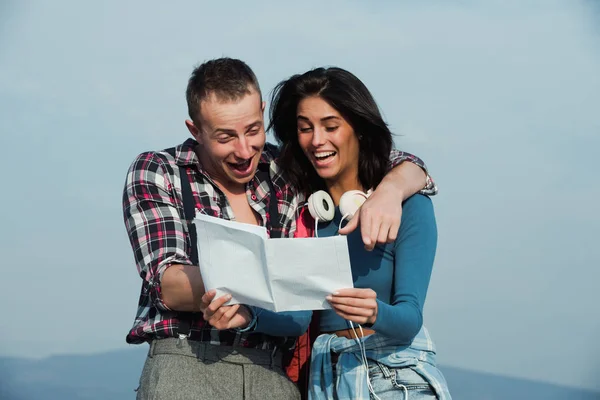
(224, 317)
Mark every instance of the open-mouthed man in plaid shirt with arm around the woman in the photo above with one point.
(227, 171)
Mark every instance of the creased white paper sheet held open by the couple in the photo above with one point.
(274, 274)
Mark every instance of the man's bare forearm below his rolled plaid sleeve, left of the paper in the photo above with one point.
(182, 288)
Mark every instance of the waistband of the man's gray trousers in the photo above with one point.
(204, 351)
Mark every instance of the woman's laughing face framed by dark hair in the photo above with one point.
(328, 140)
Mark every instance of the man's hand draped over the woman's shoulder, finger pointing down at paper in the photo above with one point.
(379, 217)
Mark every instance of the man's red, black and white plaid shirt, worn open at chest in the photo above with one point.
(153, 213)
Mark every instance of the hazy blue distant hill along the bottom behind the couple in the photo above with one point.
(114, 376)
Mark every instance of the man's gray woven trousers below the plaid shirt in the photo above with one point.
(196, 370)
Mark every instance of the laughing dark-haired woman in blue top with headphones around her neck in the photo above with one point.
(333, 138)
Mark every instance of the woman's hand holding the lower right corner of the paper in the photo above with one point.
(356, 305)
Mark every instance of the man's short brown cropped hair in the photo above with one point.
(228, 78)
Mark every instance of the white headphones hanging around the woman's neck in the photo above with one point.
(321, 208)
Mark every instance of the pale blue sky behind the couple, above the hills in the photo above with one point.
(501, 99)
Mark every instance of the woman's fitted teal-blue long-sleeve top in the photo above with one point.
(398, 272)
